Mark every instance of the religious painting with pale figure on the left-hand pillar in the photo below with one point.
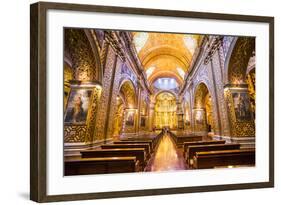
(77, 107)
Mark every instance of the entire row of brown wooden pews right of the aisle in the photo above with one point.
(203, 154)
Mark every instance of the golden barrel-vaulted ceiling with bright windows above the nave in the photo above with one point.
(165, 54)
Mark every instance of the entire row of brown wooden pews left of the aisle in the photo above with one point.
(122, 156)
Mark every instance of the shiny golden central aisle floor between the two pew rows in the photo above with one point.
(167, 157)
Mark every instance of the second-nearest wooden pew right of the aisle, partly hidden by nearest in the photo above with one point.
(192, 150)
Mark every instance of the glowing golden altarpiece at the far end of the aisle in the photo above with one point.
(165, 111)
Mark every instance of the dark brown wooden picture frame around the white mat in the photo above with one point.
(38, 102)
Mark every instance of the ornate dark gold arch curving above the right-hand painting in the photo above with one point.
(238, 58)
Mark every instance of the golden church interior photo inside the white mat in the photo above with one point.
(139, 101)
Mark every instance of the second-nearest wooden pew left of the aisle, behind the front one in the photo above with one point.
(139, 153)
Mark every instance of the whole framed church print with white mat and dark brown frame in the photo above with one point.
(134, 102)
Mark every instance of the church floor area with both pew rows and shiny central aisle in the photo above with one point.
(164, 152)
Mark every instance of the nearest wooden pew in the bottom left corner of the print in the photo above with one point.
(104, 165)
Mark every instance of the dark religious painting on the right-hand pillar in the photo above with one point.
(242, 106)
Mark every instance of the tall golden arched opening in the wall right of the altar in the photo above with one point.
(203, 109)
